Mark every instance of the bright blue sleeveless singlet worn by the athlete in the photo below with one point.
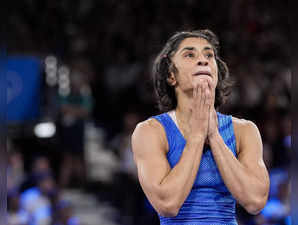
(209, 201)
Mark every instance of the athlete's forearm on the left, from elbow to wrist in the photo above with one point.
(177, 184)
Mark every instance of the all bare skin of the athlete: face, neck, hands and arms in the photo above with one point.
(166, 187)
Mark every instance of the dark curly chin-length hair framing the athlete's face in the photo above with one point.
(163, 65)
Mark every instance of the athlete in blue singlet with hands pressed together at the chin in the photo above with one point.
(193, 162)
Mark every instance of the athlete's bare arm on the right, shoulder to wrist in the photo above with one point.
(246, 177)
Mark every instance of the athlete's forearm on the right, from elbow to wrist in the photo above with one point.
(247, 187)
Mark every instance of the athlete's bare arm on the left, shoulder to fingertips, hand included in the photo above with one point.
(166, 187)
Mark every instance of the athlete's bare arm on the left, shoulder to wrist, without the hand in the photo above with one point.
(165, 188)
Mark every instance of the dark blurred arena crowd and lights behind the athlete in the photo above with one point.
(78, 76)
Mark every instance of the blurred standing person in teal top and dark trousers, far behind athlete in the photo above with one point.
(75, 110)
